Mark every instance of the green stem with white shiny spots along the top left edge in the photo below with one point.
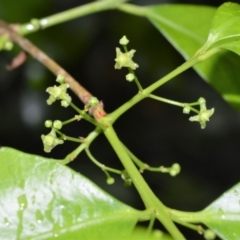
(65, 16)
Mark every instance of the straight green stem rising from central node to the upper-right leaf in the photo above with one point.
(147, 91)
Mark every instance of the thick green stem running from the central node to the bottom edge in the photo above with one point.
(148, 197)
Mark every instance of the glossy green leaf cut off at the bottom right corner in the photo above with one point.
(223, 215)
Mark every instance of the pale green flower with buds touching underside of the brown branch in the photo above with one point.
(59, 93)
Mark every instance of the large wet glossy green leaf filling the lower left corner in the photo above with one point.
(41, 199)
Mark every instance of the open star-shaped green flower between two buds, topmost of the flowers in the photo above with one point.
(125, 59)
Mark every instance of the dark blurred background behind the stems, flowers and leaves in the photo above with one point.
(157, 133)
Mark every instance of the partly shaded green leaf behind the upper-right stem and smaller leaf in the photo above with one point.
(187, 28)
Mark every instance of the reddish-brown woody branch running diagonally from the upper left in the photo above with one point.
(49, 63)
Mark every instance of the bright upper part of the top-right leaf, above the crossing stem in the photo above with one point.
(185, 26)
